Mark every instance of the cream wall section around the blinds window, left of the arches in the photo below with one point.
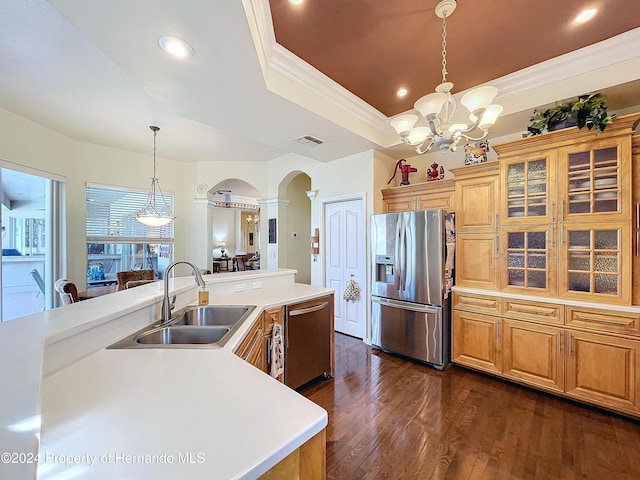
(26, 146)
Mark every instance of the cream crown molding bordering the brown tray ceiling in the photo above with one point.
(603, 64)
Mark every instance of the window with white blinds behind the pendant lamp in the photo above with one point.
(116, 241)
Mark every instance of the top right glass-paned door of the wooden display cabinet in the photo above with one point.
(595, 180)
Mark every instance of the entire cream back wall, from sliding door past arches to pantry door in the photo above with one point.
(35, 149)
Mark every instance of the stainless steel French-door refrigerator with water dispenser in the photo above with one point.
(411, 267)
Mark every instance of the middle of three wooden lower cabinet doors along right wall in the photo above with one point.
(533, 353)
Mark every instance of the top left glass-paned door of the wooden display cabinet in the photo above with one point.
(529, 188)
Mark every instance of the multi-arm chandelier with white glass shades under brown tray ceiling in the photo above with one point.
(439, 108)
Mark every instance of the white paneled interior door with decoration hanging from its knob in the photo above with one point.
(344, 224)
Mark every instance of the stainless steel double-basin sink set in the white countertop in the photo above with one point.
(194, 326)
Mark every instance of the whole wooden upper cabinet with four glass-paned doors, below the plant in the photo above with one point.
(570, 193)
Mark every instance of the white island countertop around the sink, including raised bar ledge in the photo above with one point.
(153, 413)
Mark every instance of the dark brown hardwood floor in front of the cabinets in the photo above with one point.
(394, 419)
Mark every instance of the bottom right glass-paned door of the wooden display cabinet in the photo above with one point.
(595, 262)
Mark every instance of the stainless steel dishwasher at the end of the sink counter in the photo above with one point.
(308, 341)
